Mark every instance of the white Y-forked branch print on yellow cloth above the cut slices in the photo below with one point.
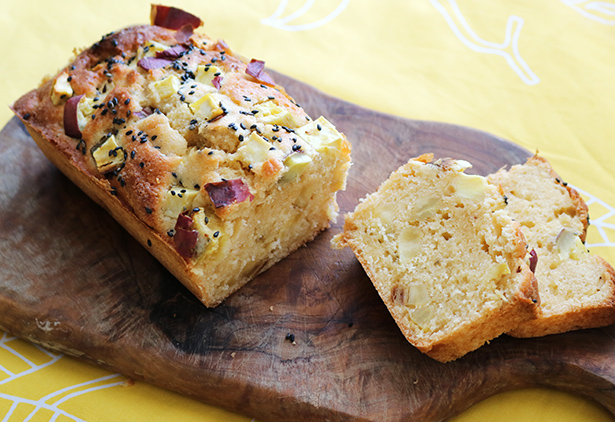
(462, 30)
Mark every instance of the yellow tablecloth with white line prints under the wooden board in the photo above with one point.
(541, 74)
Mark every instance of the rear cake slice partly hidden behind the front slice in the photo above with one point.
(577, 289)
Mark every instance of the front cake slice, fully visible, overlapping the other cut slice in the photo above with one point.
(446, 259)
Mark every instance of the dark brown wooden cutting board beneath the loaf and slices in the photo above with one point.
(73, 280)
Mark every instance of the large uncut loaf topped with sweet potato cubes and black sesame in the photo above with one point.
(198, 154)
